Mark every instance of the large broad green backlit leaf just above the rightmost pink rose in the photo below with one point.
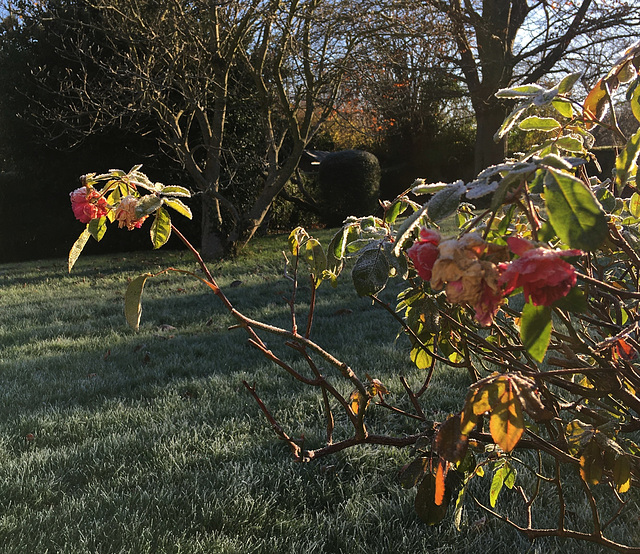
(574, 212)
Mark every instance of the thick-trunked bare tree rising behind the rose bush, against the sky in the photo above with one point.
(500, 42)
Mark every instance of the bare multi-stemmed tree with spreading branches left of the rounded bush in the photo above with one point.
(175, 67)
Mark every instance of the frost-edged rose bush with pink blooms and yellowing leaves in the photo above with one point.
(535, 296)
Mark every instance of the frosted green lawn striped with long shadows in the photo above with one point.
(114, 441)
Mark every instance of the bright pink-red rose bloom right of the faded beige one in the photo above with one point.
(542, 273)
